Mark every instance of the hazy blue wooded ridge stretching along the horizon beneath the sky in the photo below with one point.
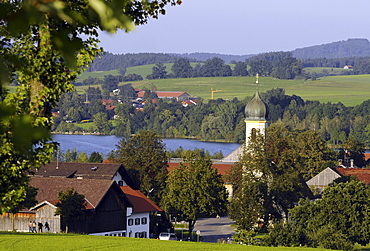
(336, 54)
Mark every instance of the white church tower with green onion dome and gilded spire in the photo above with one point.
(255, 115)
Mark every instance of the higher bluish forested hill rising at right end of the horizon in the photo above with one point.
(350, 48)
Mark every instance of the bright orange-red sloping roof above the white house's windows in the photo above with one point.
(141, 204)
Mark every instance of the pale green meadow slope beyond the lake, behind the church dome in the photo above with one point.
(350, 90)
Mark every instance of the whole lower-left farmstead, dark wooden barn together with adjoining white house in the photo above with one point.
(114, 206)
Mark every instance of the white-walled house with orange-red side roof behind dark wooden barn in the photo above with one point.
(138, 216)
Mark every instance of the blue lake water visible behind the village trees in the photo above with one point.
(105, 144)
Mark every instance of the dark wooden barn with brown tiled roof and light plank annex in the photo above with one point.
(107, 207)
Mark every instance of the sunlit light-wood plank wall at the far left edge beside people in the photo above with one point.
(21, 221)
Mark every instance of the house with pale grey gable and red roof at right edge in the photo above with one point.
(328, 175)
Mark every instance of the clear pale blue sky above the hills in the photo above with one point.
(242, 27)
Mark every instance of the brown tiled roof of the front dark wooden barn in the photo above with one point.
(93, 190)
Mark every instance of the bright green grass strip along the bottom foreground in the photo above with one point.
(65, 242)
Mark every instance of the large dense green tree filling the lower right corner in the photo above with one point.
(338, 220)
